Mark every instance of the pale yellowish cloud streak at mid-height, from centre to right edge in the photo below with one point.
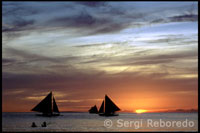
(140, 57)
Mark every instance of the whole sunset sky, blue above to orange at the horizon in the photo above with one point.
(143, 55)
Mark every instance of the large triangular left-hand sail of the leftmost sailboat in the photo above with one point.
(45, 106)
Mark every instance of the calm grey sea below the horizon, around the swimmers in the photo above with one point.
(19, 122)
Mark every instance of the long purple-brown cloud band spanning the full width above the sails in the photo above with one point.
(82, 82)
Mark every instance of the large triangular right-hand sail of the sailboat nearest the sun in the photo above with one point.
(110, 107)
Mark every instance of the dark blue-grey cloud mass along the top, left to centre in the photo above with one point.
(108, 19)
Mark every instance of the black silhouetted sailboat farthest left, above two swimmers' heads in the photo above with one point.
(47, 106)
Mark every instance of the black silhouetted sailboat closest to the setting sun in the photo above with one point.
(109, 109)
